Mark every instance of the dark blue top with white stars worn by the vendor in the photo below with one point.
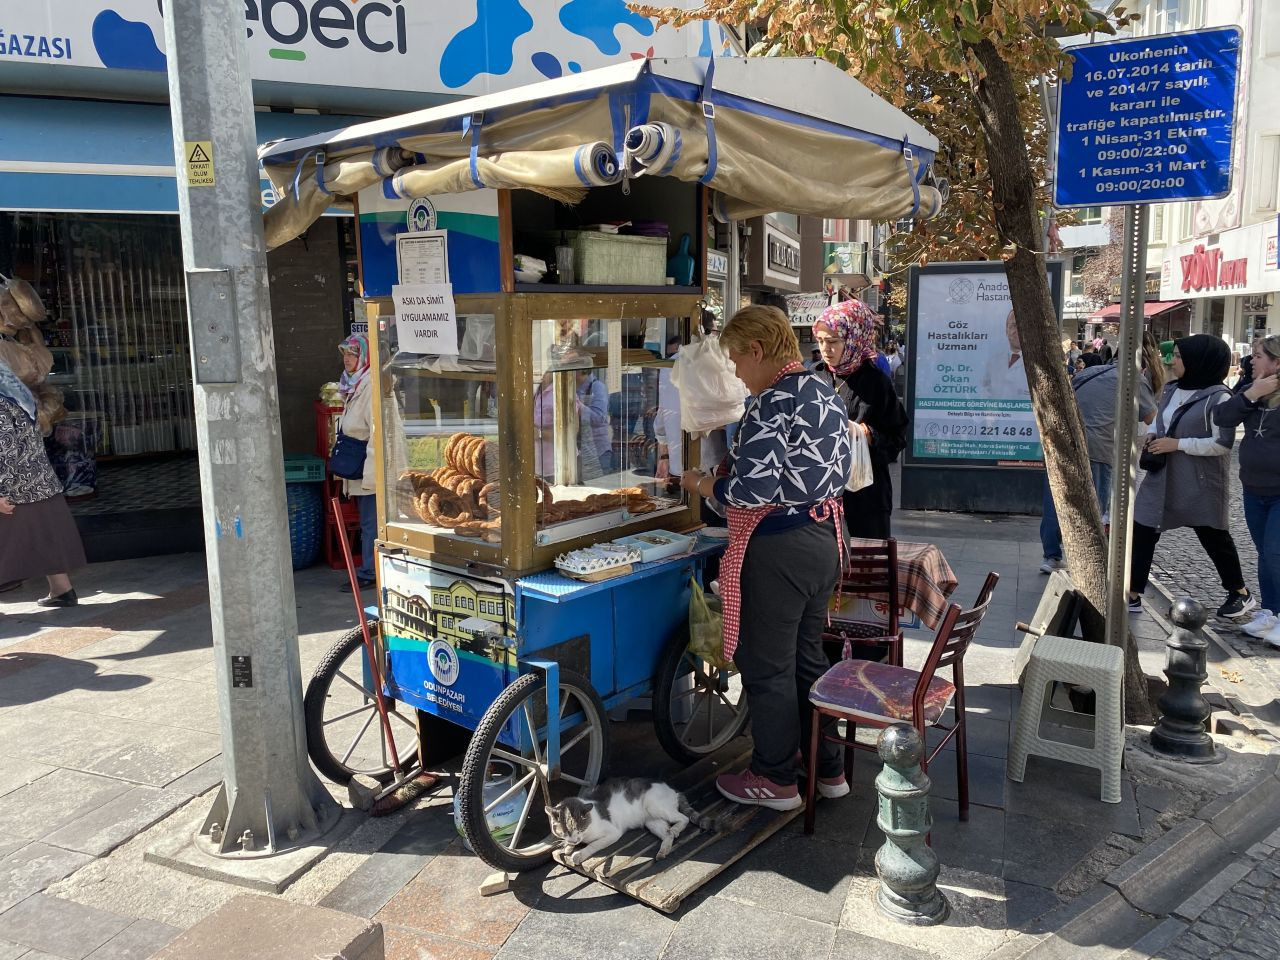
(792, 450)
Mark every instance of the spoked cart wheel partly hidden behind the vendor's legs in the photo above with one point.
(698, 708)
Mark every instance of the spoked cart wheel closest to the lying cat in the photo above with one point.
(505, 789)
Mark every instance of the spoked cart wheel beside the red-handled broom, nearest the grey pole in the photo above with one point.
(345, 734)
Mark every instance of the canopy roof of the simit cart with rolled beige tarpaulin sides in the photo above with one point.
(766, 134)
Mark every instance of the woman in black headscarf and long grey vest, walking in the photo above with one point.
(1191, 488)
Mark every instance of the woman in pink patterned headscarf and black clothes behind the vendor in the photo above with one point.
(845, 333)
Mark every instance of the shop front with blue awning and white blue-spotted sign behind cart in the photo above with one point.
(89, 212)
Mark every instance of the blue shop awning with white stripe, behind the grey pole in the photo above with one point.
(97, 157)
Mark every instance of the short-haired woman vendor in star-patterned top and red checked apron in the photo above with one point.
(787, 473)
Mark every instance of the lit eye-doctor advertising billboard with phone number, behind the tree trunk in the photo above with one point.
(968, 382)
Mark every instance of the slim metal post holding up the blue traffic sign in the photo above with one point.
(1130, 368)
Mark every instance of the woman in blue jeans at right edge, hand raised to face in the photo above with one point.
(1260, 477)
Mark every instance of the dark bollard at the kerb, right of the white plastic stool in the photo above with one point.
(1181, 730)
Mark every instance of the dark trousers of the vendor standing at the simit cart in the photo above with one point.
(788, 580)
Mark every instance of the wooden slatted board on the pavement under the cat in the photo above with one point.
(698, 856)
